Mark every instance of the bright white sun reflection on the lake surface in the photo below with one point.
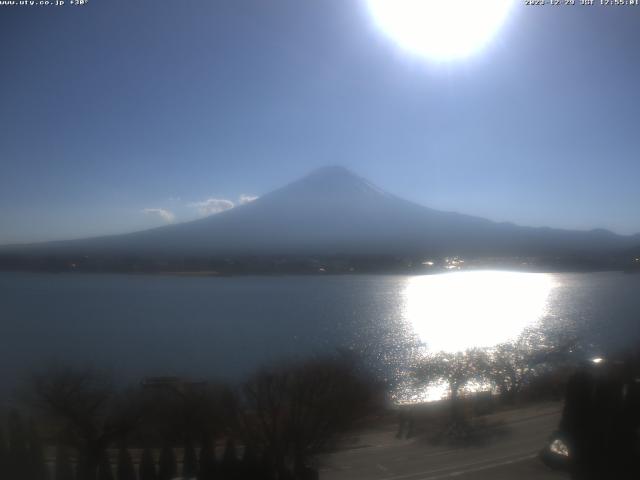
(455, 311)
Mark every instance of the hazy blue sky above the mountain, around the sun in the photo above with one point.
(120, 107)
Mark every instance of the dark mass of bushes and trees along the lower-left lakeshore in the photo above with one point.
(272, 426)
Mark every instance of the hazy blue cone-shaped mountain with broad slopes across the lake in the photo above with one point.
(333, 211)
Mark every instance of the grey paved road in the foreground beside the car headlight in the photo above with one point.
(378, 455)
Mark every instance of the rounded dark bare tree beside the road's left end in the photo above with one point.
(297, 411)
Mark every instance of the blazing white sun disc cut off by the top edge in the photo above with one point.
(440, 30)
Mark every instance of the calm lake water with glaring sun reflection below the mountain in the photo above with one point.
(143, 325)
